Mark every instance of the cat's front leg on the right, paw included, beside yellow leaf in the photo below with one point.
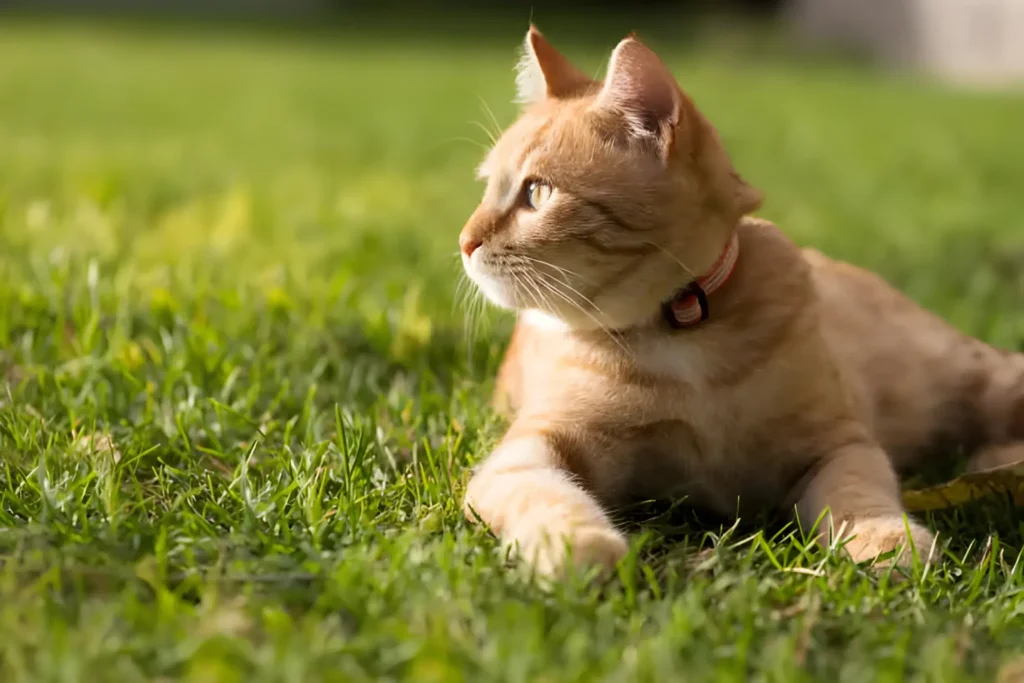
(859, 488)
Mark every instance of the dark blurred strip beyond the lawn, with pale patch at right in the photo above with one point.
(964, 39)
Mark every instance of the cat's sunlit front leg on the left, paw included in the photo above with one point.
(527, 495)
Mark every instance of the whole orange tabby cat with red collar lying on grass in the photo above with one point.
(670, 346)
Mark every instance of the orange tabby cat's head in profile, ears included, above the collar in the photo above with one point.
(604, 198)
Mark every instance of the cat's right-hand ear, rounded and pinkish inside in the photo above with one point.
(642, 90)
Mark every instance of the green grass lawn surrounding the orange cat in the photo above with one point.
(239, 403)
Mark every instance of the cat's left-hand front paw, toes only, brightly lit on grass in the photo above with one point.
(550, 552)
